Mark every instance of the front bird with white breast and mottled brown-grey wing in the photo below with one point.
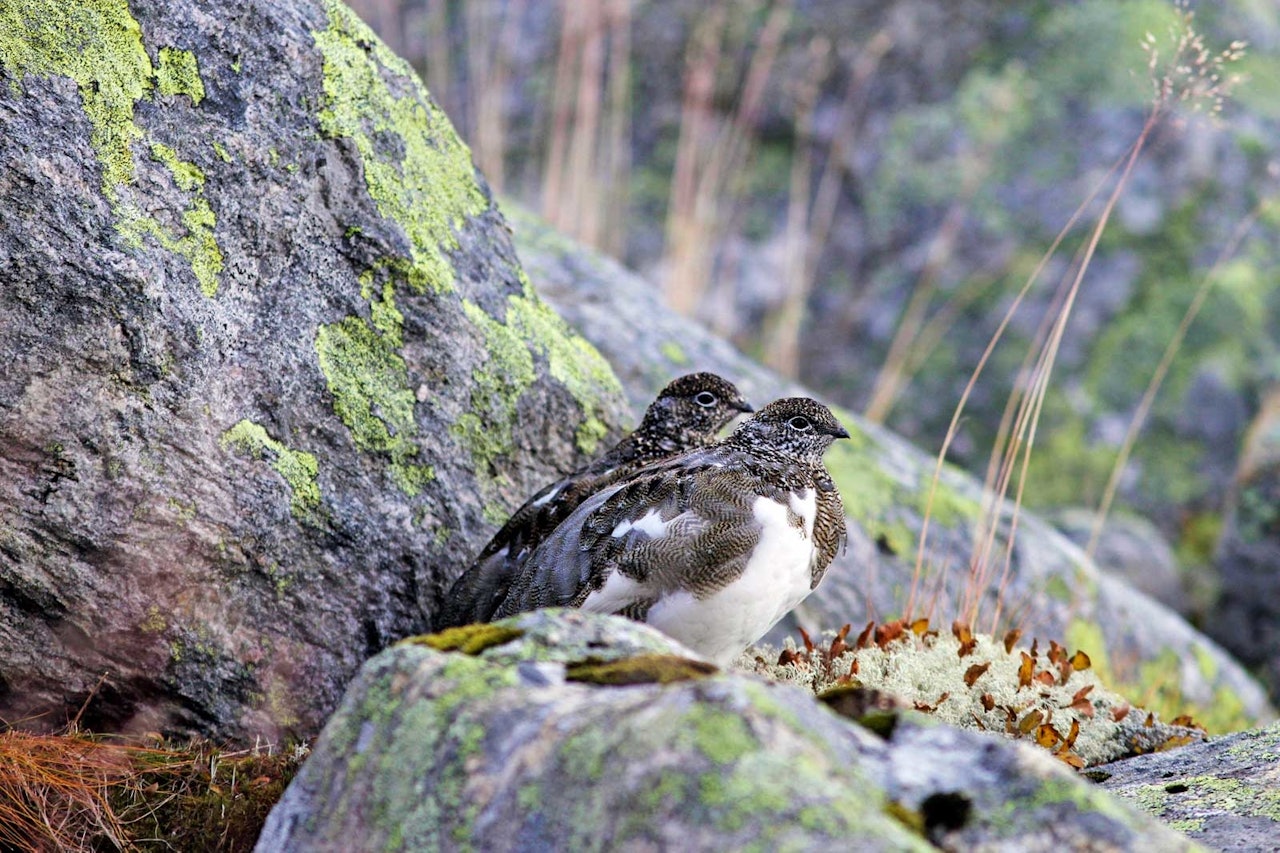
(711, 548)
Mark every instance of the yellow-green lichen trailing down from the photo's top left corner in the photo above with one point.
(99, 45)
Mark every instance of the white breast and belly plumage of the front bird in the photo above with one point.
(776, 580)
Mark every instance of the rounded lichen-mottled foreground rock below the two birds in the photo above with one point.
(524, 746)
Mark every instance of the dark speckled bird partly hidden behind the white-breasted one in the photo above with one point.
(689, 413)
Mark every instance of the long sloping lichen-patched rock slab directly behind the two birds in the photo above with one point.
(1057, 592)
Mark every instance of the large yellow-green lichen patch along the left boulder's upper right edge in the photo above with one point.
(426, 183)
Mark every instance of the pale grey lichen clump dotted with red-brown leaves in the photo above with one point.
(985, 691)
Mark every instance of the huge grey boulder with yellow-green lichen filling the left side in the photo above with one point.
(271, 366)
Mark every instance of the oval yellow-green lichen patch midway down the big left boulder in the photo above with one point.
(369, 384)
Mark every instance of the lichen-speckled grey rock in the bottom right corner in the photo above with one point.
(1224, 793)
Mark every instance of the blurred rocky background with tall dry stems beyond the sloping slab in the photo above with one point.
(856, 194)
